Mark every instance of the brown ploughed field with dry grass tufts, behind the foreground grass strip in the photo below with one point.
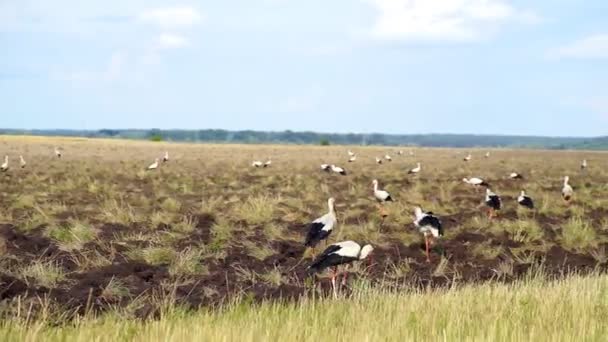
(94, 232)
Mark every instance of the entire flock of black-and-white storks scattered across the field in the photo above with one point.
(346, 252)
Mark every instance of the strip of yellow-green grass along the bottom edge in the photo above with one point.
(573, 309)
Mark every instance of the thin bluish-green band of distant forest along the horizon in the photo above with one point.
(290, 137)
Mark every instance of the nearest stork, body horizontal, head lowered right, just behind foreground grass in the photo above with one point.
(341, 253)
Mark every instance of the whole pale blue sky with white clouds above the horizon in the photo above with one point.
(389, 66)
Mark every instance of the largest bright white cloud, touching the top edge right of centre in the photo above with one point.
(441, 19)
